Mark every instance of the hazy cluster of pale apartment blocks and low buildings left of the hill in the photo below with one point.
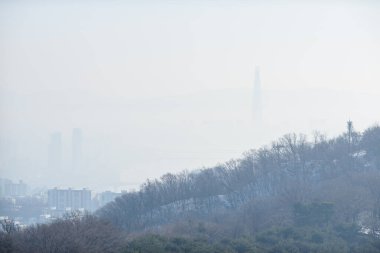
(27, 207)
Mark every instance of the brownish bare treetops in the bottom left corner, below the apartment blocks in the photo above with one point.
(74, 233)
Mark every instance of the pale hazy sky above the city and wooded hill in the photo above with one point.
(163, 86)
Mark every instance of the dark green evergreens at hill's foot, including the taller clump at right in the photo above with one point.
(314, 230)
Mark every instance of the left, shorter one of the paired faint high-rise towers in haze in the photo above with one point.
(55, 152)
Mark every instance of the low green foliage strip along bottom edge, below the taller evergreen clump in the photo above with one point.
(291, 239)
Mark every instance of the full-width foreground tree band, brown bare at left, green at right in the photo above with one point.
(313, 231)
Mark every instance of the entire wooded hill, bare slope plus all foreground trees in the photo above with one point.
(298, 194)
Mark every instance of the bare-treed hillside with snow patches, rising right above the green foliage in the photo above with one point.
(339, 176)
